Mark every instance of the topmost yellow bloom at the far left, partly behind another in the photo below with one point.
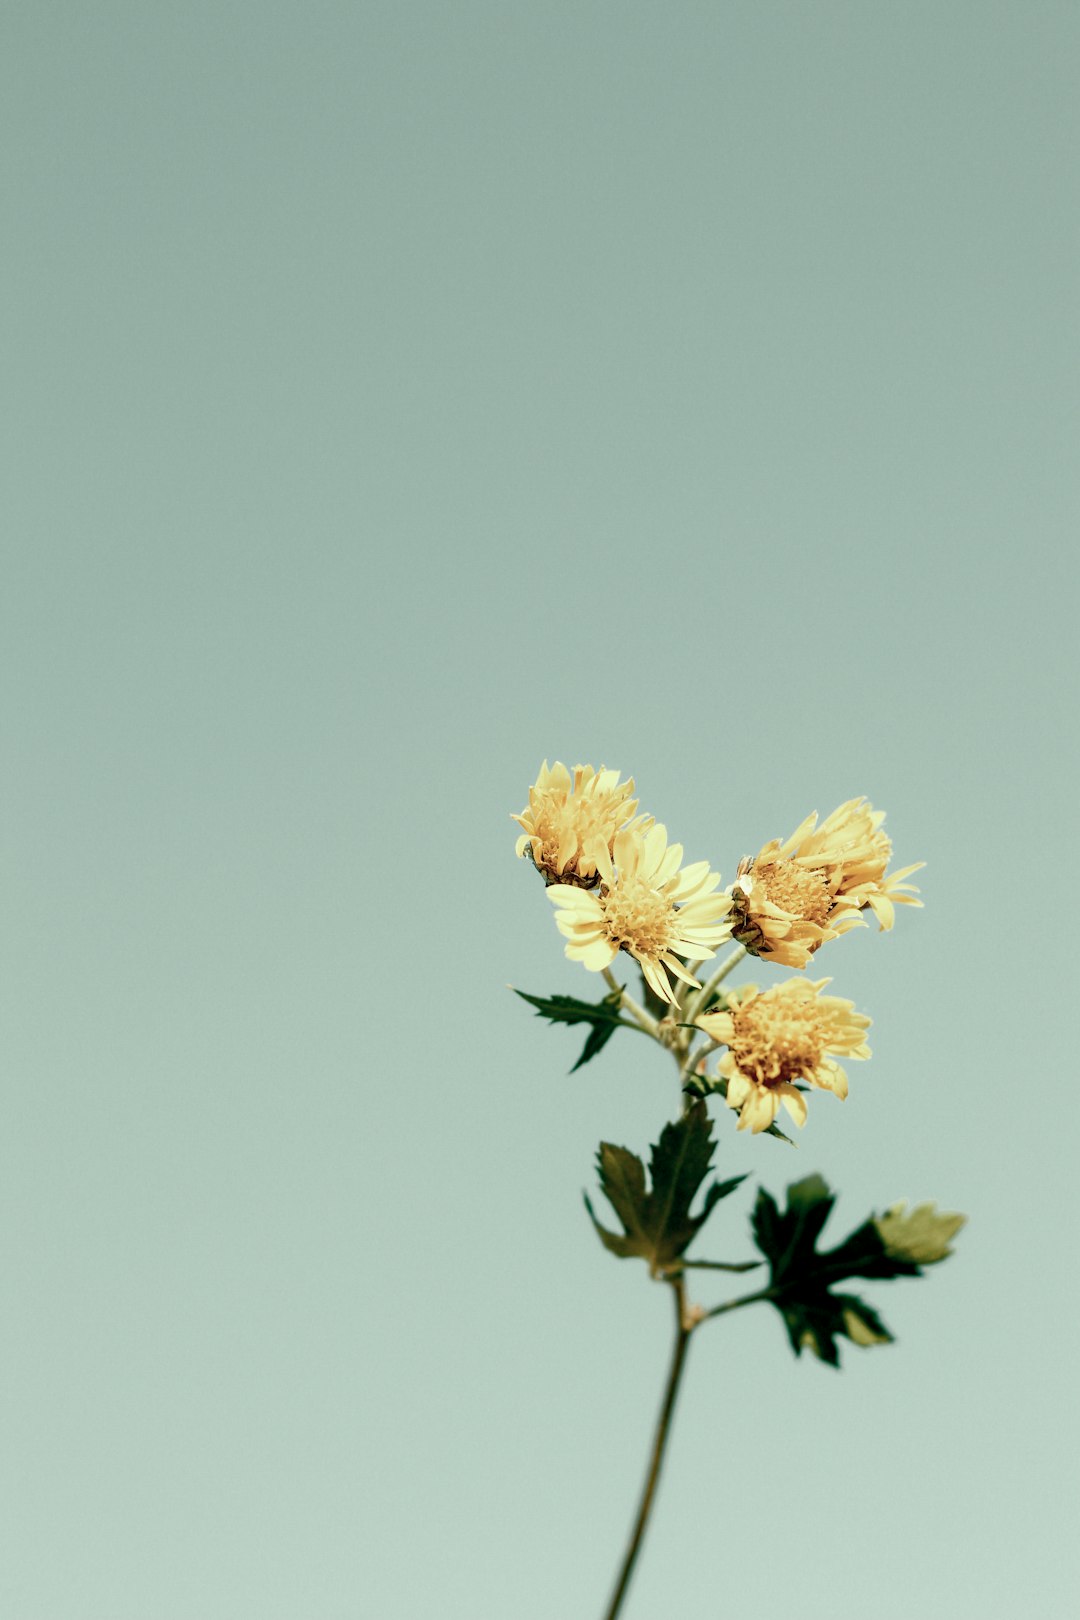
(571, 822)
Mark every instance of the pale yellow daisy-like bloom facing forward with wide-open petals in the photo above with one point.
(647, 906)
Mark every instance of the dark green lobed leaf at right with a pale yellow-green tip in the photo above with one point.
(804, 1277)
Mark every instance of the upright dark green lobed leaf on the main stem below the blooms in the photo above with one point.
(657, 1222)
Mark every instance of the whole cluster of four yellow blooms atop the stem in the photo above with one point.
(619, 885)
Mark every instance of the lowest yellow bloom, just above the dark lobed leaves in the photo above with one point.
(778, 1036)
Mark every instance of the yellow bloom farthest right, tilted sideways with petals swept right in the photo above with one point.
(796, 895)
